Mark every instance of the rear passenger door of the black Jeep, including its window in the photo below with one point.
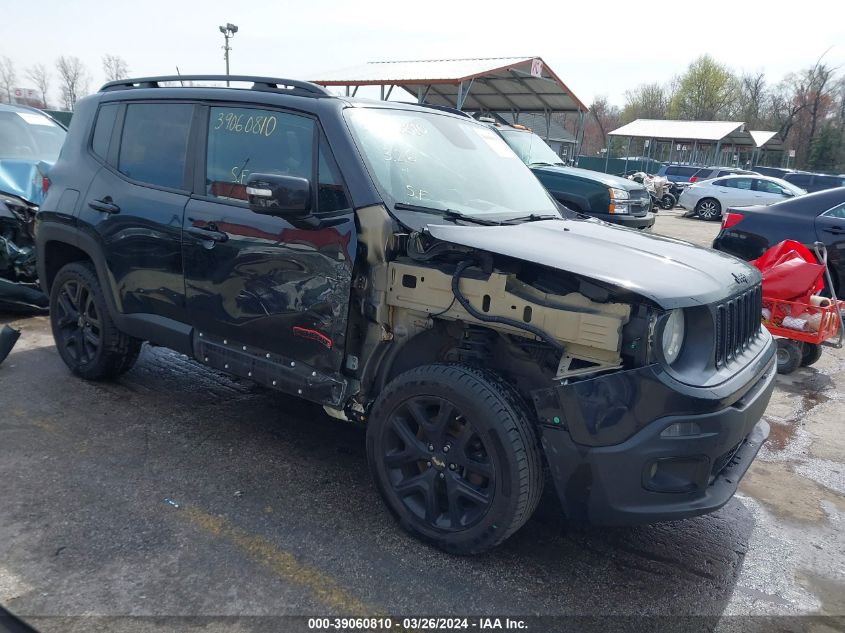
(134, 205)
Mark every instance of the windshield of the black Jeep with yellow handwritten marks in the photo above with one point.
(441, 162)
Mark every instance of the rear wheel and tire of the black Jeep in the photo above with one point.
(86, 336)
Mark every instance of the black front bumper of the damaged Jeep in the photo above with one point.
(628, 482)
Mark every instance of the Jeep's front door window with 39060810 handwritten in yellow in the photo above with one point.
(242, 141)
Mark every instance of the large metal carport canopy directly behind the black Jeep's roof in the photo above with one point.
(491, 84)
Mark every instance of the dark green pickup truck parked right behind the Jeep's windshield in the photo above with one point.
(610, 198)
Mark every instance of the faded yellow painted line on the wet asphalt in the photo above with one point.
(328, 591)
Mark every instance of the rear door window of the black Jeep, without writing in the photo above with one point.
(154, 143)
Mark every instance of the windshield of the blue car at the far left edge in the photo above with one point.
(30, 136)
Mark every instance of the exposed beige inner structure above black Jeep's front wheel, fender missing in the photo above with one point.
(425, 300)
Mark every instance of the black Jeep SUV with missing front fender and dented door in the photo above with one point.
(399, 265)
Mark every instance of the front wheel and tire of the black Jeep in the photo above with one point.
(455, 457)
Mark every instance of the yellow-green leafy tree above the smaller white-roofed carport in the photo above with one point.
(707, 91)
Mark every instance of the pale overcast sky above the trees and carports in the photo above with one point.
(595, 47)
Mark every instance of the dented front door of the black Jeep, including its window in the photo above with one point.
(258, 280)
